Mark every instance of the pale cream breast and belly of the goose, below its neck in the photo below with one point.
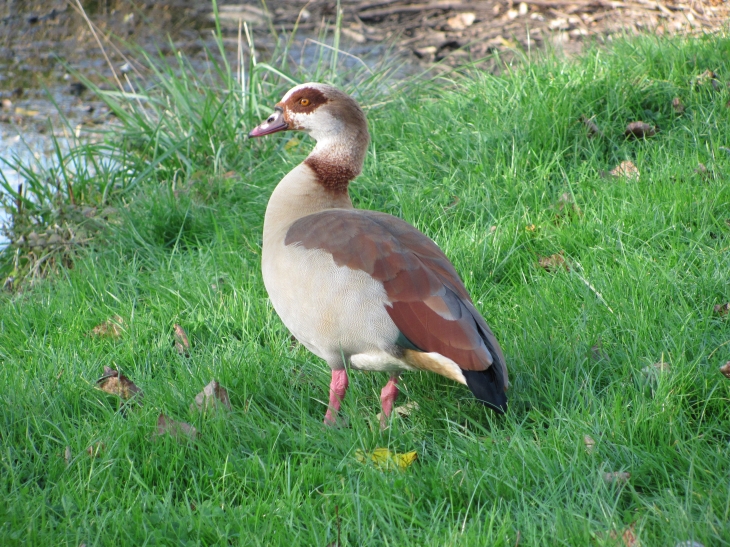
(337, 313)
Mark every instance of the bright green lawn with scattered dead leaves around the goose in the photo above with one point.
(455, 156)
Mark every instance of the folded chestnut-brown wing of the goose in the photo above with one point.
(430, 304)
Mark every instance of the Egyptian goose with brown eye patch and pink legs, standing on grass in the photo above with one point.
(363, 289)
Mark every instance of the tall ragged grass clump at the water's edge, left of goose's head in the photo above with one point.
(177, 129)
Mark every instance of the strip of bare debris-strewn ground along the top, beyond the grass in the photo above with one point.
(35, 35)
